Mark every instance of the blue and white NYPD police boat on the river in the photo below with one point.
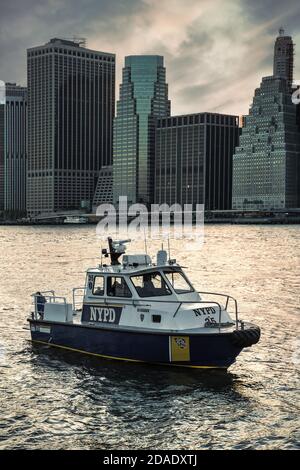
(140, 311)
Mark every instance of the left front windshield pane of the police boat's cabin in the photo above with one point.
(150, 285)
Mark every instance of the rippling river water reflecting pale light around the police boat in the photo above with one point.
(53, 400)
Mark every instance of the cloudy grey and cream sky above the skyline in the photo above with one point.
(215, 51)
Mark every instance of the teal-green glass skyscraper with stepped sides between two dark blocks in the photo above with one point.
(143, 97)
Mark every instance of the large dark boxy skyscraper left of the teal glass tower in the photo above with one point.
(71, 96)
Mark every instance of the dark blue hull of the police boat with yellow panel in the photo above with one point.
(211, 350)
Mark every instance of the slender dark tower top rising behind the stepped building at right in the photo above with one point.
(283, 64)
